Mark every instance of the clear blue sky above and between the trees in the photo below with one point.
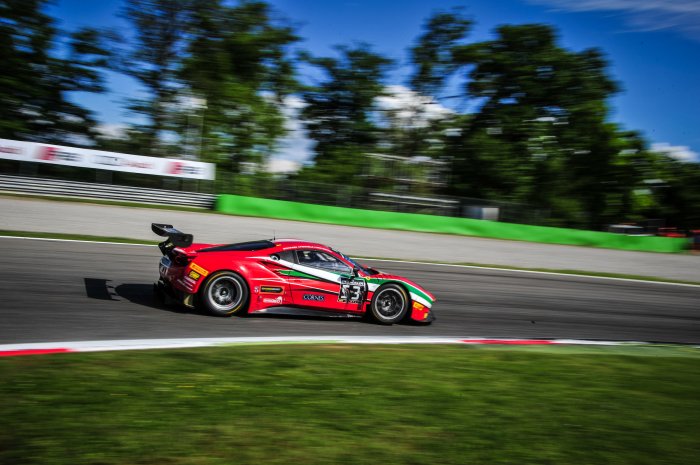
(653, 47)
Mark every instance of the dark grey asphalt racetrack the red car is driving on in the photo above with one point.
(69, 291)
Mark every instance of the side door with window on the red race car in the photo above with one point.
(316, 282)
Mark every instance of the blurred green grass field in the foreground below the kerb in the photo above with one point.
(347, 404)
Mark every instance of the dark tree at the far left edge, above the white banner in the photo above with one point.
(36, 82)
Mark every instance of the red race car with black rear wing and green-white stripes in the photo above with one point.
(259, 275)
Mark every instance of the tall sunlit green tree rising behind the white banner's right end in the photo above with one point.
(238, 62)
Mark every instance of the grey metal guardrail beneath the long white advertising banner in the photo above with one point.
(57, 187)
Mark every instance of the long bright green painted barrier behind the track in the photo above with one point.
(280, 209)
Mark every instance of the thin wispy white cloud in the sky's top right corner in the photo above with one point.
(645, 15)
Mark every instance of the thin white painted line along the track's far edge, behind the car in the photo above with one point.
(476, 267)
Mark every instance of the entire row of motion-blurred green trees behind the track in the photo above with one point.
(219, 76)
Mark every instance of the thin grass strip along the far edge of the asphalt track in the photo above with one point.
(121, 240)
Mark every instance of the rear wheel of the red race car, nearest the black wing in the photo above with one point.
(224, 294)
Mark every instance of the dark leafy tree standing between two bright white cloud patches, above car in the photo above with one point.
(339, 112)
